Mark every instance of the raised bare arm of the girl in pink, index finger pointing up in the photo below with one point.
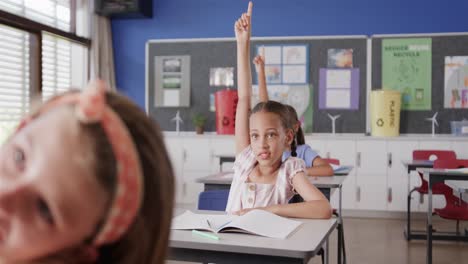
(243, 29)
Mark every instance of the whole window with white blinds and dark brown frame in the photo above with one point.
(29, 69)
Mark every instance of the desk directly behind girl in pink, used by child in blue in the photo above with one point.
(222, 180)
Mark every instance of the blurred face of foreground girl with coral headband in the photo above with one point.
(49, 198)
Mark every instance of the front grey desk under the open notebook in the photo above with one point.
(303, 244)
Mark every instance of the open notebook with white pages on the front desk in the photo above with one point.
(256, 222)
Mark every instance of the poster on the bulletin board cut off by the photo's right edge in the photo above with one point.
(456, 82)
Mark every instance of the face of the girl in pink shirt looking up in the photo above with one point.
(268, 138)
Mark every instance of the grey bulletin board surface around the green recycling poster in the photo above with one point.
(442, 45)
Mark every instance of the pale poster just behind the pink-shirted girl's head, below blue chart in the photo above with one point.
(298, 96)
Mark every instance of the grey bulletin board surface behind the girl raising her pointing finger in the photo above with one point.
(221, 52)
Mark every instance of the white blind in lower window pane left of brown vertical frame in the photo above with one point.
(14, 78)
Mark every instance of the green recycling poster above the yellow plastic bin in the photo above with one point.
(407, 67)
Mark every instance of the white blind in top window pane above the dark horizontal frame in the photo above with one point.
(54, 13)
